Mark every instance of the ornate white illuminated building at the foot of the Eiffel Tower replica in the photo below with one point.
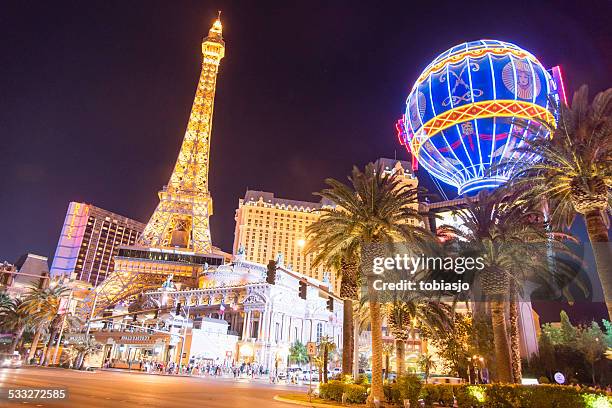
(239, 315)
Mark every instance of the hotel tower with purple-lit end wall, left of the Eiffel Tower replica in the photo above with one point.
(89, 241)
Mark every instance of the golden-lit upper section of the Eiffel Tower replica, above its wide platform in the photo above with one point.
(182, 217)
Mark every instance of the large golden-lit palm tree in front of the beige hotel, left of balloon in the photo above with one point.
(375, 209)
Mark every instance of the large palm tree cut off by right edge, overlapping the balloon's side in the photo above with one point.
(574, 173)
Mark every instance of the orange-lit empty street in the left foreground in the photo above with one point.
(123, 389)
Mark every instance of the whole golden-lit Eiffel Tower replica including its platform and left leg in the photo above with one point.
(176, 240)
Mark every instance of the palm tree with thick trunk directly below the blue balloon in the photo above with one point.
(514, 248)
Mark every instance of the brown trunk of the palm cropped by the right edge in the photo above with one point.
(598, 235)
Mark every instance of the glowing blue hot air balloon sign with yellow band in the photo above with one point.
(461, 115)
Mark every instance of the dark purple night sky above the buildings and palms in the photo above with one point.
(95, 96)
